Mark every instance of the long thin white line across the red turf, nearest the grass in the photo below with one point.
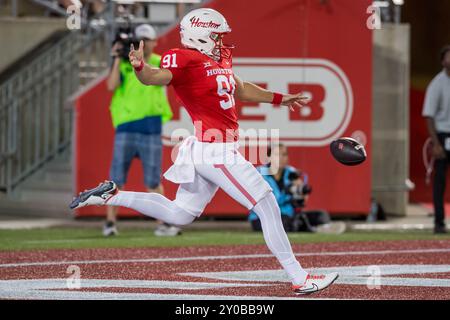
(246, 256)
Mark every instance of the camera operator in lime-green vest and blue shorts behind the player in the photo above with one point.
(138, 113)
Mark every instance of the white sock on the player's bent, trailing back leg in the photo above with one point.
(153, 205)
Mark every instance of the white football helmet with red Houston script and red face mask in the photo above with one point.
(203, 29)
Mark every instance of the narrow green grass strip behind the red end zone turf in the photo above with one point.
(76, 238)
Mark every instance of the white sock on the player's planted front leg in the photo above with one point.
(276, 239)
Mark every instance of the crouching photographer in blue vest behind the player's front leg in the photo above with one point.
(289, 186)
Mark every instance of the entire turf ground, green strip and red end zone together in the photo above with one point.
(39, 264)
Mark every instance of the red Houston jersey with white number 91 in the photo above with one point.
(206, 88)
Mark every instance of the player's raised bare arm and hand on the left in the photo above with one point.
(146, 74)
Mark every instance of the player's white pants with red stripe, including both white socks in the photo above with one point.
(220, 165)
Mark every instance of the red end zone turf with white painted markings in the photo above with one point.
(369, 270)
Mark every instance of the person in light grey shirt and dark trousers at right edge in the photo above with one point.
(436, 110)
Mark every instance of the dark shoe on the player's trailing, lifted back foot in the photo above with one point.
(97, 196)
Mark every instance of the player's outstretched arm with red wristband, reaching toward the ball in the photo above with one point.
(250, 92)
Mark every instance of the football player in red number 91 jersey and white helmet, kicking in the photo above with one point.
(202, 76)
